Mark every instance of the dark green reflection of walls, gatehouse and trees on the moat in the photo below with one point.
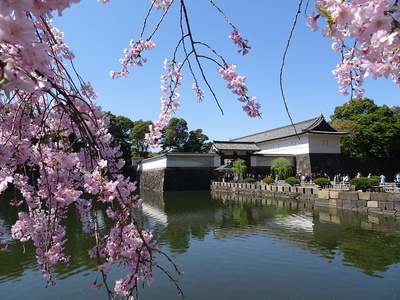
(369, 243)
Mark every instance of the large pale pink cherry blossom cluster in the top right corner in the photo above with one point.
(372, 30)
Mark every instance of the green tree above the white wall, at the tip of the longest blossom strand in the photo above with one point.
(175, 135)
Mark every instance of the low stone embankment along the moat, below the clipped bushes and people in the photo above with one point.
(369, 202)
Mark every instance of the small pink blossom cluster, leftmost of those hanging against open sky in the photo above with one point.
(133, 56)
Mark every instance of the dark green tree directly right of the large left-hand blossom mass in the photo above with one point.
(120, 128)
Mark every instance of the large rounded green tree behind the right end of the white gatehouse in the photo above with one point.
(374, 131)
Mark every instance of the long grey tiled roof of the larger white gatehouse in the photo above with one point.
(316, 125)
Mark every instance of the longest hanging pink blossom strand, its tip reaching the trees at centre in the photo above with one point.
(169, 104)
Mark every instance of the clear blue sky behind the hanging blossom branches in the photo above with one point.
(97, 33)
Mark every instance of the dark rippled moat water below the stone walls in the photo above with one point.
(234, 249)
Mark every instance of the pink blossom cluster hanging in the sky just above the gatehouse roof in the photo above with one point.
(237, 84)
